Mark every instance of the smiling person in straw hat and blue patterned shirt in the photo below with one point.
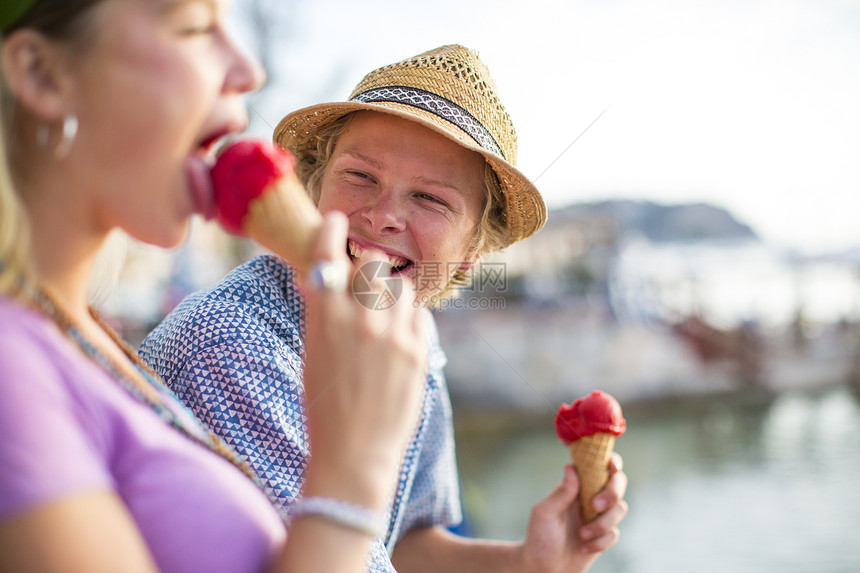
(421, 159)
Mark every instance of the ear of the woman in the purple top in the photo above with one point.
(35, 71)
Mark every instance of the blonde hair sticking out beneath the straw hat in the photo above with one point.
(490, 232)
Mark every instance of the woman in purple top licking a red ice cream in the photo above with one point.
(109, 110)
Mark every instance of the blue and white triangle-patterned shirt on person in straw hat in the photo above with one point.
(234, 354)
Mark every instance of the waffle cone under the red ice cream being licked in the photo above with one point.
(284, 220)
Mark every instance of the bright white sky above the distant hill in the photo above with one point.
(750, 105)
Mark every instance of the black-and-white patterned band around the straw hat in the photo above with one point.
(438, 106)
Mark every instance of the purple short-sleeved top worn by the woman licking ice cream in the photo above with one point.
(68, 428)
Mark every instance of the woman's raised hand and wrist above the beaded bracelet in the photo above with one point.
(364, 378)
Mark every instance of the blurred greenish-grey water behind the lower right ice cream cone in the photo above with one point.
(742, 487)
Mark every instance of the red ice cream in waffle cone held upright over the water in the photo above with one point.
(589, 427)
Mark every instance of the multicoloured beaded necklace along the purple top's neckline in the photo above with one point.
(148, 389)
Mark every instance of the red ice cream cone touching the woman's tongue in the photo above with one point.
(258, 195)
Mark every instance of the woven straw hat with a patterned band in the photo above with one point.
(450, 91)
